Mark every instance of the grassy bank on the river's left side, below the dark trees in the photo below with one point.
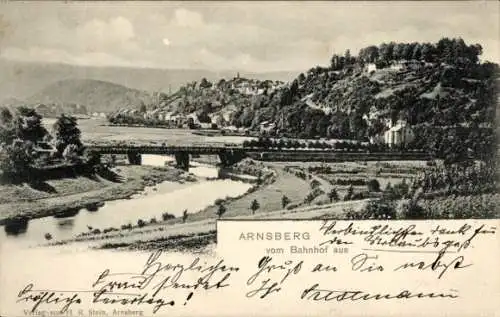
(57, 196)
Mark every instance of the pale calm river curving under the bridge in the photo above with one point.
(153, 202)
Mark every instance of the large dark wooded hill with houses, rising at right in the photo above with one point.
(441, 89)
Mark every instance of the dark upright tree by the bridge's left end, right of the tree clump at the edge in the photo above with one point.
(66, 133)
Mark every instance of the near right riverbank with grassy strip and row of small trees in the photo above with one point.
(198, 228)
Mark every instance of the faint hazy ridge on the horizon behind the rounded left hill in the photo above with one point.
(21, 80)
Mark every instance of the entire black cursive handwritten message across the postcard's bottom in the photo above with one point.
(160, 284)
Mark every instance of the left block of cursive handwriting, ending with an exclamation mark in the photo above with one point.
(143, 288)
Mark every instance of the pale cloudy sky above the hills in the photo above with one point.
(249, 36)
